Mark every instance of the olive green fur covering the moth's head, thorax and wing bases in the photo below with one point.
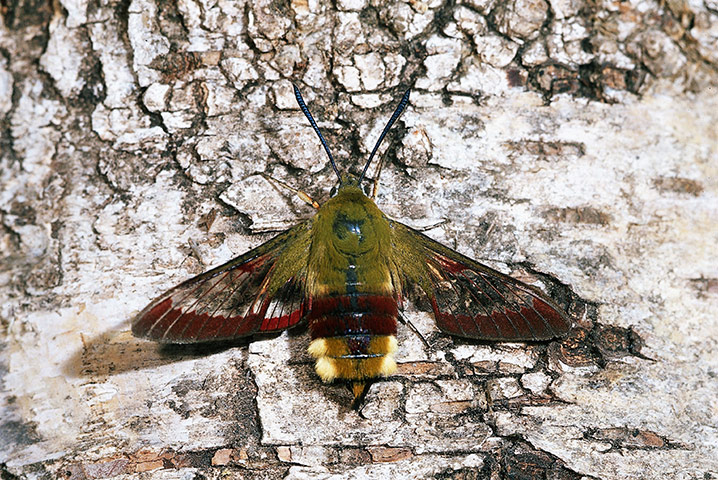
(387, 258)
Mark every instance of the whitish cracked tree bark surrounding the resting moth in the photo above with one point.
(572, 143)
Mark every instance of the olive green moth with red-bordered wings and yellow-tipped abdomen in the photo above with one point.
(346, 273)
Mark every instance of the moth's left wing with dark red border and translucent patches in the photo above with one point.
(260, 291)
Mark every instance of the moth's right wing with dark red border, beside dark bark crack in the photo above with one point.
(472, 300)
